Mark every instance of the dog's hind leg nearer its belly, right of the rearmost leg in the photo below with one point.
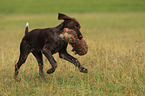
(38, 56)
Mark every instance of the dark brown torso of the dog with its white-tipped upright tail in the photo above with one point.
(37, 38)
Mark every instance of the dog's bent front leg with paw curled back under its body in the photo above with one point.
(50, 58)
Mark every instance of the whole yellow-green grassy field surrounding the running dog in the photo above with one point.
(115, 60)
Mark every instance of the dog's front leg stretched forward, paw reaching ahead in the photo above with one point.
(63, 54)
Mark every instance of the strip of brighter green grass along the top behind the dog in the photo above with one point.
(70, 6)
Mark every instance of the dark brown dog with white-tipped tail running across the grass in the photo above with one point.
(47, 41)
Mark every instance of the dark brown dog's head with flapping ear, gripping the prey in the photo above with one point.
(71, 23)
